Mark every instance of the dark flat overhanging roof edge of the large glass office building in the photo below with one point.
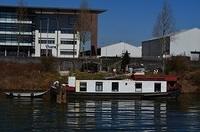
(54, 9)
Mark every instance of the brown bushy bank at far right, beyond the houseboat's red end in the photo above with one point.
(188, 73)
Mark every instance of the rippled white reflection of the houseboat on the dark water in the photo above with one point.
(115, 114)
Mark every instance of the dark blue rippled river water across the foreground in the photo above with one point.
(40, 115)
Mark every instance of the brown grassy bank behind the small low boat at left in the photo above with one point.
(16, 76)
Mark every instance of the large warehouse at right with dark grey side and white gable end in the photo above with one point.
(183, 43)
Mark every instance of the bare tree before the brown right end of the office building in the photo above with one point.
(84, 25)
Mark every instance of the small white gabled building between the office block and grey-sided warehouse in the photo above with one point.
(118, 49)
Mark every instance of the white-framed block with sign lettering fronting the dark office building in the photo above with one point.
(59, 44)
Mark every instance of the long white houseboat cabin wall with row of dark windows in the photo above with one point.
(121, 86)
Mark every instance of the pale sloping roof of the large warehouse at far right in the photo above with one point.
(172, 34)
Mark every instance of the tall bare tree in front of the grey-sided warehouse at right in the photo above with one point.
(163, 27)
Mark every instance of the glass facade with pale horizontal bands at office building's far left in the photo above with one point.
(13, 31)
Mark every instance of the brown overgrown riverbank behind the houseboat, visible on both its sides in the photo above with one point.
(40, 76)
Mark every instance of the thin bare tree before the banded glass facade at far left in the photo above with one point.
(21, 16)
